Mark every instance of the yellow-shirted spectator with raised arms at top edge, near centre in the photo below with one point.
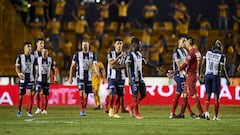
(122, 13)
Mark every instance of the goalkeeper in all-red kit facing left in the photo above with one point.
(191, 65)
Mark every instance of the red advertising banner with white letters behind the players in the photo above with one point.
(156, 95)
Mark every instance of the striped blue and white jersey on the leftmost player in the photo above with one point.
(26, 64)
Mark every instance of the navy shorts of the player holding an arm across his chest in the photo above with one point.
(116, 87)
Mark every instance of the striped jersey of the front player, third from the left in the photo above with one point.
(44, 68)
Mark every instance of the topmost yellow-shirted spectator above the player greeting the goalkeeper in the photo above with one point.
(179, 13)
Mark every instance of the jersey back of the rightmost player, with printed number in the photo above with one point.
(213, 62)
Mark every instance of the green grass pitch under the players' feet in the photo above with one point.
(65, 120)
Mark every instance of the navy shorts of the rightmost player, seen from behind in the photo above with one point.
(212, 84)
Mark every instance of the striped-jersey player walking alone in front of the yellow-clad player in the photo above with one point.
(83, 61)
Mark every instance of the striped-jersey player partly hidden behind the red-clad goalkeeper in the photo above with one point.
(179, 56)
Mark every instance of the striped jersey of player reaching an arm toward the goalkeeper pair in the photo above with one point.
(135, 60)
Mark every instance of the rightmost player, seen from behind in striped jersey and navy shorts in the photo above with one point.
(212, 65)
